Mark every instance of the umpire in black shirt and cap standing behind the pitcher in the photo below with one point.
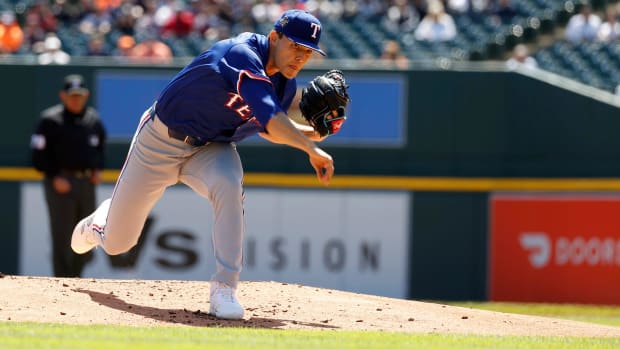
(68, 147)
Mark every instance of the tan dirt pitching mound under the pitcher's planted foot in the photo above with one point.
(268, 305)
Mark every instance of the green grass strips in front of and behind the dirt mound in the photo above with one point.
(30, 335)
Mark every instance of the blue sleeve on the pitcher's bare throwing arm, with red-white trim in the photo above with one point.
(242, 67)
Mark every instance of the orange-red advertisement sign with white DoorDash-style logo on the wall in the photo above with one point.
(555, 248)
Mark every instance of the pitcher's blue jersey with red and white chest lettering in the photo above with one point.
(224, 94)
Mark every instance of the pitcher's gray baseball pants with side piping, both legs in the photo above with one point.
(157, 161)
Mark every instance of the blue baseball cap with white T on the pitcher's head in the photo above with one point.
(301, 27)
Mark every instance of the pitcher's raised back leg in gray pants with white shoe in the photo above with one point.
(151, 166)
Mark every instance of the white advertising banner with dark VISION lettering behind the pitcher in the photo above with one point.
(351, 240)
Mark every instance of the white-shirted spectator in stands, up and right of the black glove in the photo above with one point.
(437, 25)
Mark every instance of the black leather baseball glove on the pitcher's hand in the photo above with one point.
(325, 94)
